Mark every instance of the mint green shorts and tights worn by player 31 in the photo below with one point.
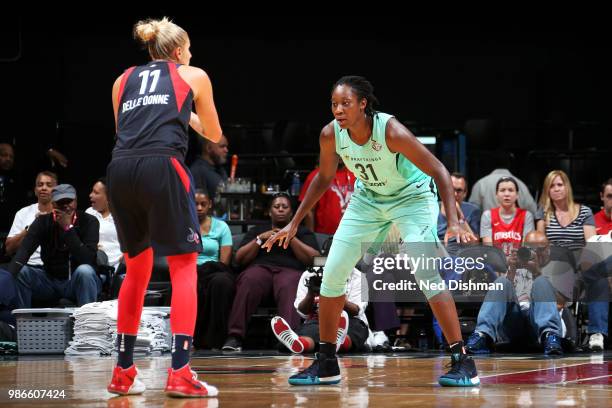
(365, 225)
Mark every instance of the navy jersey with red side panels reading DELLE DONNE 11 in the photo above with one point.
(154, 109)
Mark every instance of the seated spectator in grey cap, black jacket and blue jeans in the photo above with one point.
(68, 240)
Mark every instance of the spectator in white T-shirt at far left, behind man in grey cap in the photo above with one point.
(45, 181)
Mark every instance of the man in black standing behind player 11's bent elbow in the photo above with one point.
(207, 170)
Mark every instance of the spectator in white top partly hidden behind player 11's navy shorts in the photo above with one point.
(108, 242)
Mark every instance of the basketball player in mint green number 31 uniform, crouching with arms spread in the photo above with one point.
(397, 182)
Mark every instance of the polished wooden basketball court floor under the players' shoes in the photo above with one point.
(260, 379)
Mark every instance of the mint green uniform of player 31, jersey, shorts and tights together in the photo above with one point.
(390, 190)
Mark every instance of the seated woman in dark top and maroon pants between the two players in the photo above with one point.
(276, 272)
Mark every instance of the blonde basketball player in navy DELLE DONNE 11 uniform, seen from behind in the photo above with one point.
(152, 196)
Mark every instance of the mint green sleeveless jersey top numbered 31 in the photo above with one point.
(377, 169)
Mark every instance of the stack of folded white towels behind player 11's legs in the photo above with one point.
(95, 330)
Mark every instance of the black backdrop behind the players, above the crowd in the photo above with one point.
(536, 82)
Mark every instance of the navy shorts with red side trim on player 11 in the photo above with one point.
(153, 204)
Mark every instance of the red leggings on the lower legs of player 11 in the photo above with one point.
(184, 292)
